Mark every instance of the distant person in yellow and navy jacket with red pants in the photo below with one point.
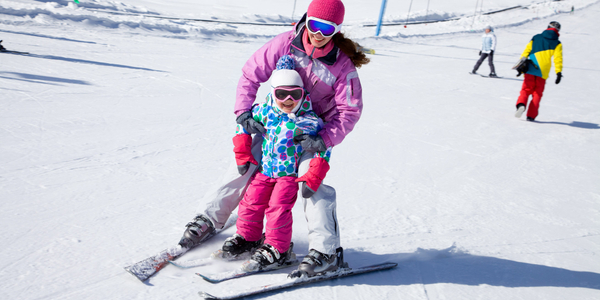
(540, 51)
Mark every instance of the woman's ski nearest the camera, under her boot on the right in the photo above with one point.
(293, 282)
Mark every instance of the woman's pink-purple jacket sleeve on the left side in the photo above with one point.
(258, 69)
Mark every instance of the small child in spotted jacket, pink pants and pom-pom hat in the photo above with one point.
(286, 114)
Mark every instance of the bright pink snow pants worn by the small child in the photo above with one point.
(275, 198)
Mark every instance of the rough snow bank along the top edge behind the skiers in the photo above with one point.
(119, 15)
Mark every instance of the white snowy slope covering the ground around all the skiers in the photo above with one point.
(120, 120)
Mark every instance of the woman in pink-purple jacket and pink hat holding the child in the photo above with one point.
(326, 62)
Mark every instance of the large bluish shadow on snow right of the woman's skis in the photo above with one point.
(453, 266)
